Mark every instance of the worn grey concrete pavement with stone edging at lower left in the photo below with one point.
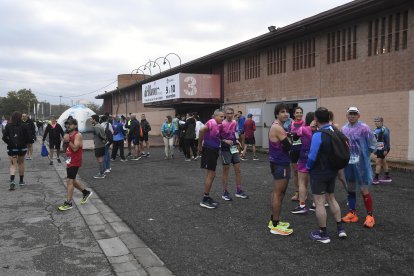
(90, 239)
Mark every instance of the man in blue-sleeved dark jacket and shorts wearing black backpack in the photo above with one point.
(323, 177)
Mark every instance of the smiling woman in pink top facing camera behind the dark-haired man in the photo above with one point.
(295, 126)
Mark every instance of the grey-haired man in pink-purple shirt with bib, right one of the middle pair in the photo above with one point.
(230, 154)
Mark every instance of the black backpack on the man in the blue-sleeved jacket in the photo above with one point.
(339, 157)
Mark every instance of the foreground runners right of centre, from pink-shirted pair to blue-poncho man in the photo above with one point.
(307, 149)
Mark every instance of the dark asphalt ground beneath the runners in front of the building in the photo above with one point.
(159, 200)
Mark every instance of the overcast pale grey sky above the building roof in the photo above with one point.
(69, 48)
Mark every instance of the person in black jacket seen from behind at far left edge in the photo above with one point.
(16, 135)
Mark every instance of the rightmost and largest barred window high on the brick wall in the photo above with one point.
(384, 31)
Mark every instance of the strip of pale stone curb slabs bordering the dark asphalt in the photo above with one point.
(125, 251)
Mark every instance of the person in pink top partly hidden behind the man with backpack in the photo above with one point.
(305, 134)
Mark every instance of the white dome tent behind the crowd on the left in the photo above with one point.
(81, 113)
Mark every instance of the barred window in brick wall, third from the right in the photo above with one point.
(304, 54)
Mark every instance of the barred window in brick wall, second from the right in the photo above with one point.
(341, 45)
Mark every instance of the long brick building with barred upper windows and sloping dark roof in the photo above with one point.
(360, 53)
